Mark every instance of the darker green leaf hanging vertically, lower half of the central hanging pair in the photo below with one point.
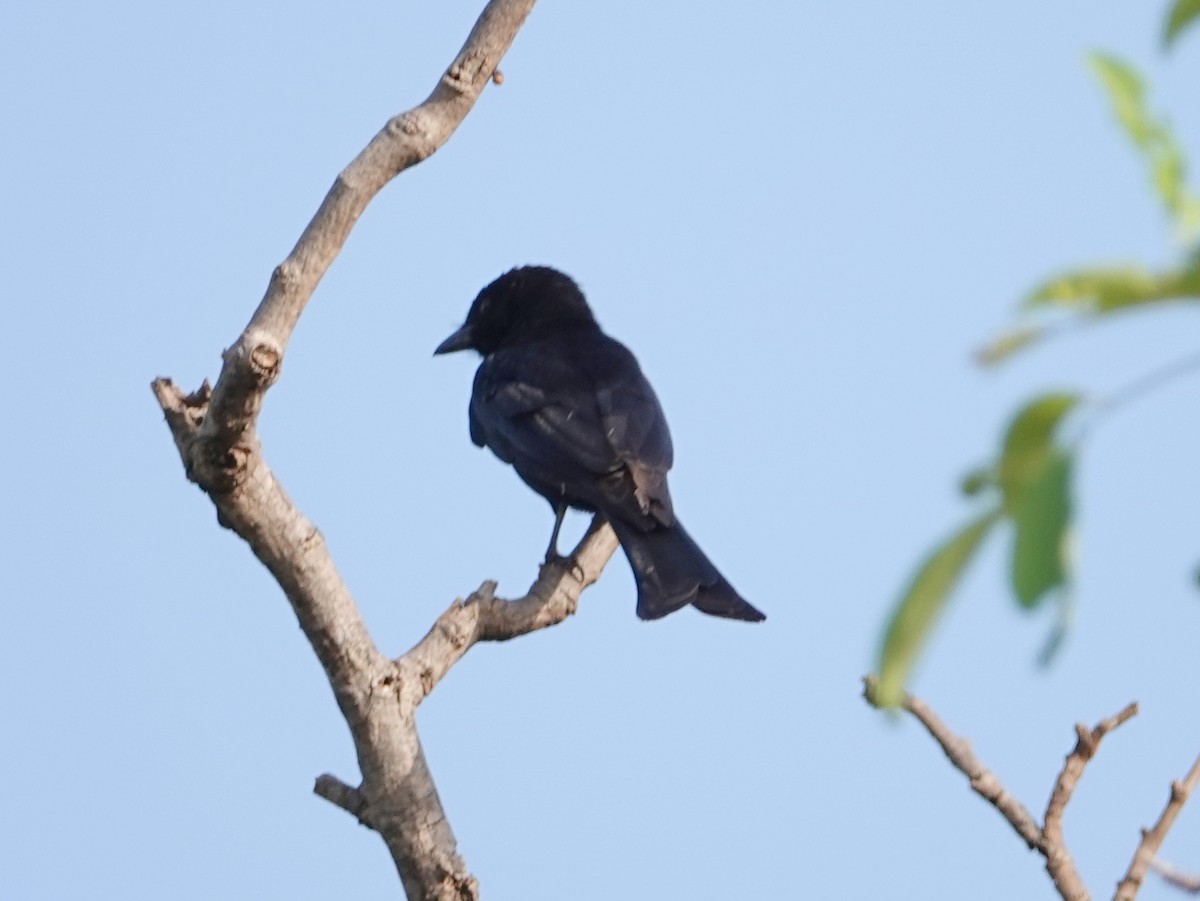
(1043, 525)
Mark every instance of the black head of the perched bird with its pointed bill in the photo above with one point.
(523, 305)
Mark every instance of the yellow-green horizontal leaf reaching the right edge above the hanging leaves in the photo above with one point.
(1105, 291)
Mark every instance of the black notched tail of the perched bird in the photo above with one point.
(673, 572)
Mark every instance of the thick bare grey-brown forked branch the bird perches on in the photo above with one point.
(215, 430)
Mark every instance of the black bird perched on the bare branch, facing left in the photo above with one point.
(569, 409)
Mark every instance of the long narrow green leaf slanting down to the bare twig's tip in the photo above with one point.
(920, 606)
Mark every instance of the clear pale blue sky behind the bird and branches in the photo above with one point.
(803, 219)
